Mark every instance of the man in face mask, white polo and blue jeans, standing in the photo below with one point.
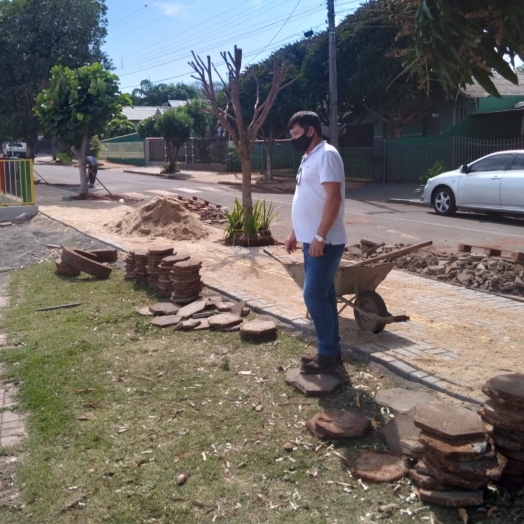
(318, 223)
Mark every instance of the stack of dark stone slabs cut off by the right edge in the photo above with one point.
(504, 413)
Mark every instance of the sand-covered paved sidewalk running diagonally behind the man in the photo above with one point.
(456, 339)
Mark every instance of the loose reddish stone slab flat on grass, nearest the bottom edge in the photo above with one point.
(379, 466)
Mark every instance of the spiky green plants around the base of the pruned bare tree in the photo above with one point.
(237, 220)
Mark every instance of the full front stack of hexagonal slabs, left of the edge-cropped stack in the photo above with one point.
(457, 458)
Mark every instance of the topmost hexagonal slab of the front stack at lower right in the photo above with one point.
(450, 422)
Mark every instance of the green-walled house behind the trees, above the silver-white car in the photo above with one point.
(474, 114)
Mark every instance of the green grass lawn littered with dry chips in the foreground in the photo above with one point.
(116, 410)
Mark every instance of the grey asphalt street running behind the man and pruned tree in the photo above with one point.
(368, 214)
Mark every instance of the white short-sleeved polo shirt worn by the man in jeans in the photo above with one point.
(322, 164)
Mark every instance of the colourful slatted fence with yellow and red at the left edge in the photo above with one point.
(17, 186)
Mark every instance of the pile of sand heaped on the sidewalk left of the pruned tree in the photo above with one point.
(162, 217)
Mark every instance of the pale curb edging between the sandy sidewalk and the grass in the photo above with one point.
(395, 365)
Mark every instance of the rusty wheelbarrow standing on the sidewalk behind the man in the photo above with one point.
(369, 308)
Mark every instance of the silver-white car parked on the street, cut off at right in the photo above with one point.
(493, 183)
